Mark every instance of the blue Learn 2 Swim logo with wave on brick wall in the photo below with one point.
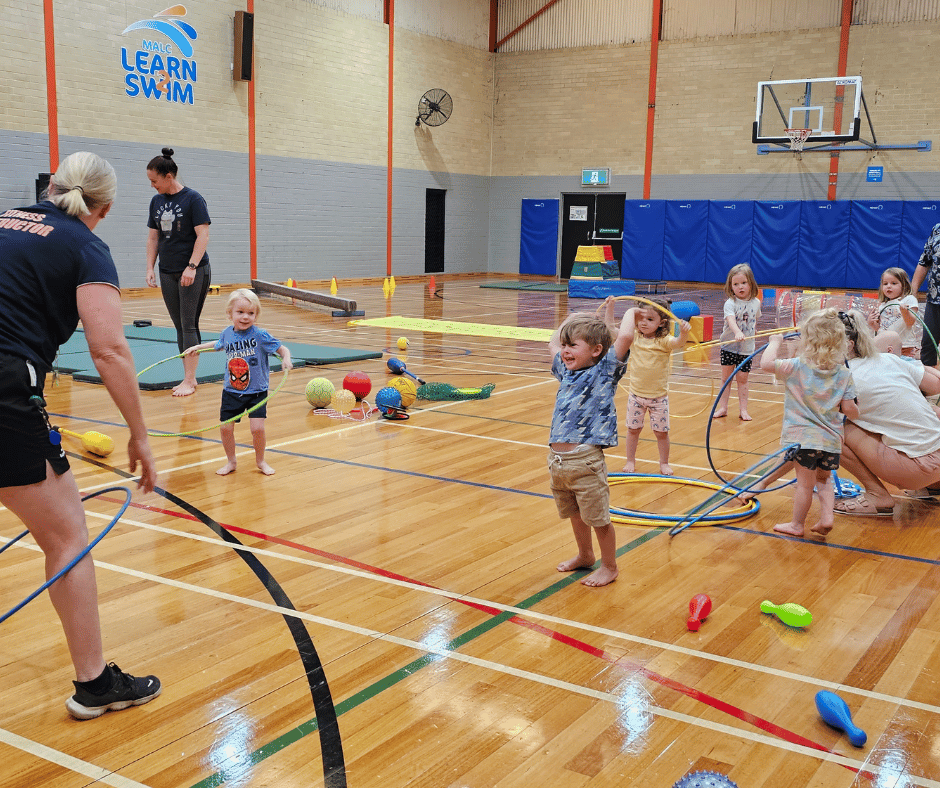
(163, 66)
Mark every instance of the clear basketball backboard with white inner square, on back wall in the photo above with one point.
(828, 106)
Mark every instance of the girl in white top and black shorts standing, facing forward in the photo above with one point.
(740, 324)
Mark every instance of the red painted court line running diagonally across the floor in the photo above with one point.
(703, 697)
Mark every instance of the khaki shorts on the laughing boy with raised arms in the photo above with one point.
(579, 484)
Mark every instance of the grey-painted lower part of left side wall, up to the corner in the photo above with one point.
(316, 219)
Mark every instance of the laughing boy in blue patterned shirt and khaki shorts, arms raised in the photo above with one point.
(588, 363)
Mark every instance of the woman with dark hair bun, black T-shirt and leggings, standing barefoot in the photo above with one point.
(178, 225)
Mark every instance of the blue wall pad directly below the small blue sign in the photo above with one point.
(874, 241)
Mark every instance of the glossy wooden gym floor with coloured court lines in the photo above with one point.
(385, 610)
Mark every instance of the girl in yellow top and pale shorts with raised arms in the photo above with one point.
(647, 331)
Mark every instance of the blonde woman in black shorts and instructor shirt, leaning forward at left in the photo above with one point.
(53, 272)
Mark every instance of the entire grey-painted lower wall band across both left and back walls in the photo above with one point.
(319, 219)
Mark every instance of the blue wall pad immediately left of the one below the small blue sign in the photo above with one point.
(824, 235)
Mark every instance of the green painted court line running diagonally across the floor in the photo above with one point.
(306, 728)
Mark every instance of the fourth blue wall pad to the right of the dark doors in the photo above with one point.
(776, 242)
